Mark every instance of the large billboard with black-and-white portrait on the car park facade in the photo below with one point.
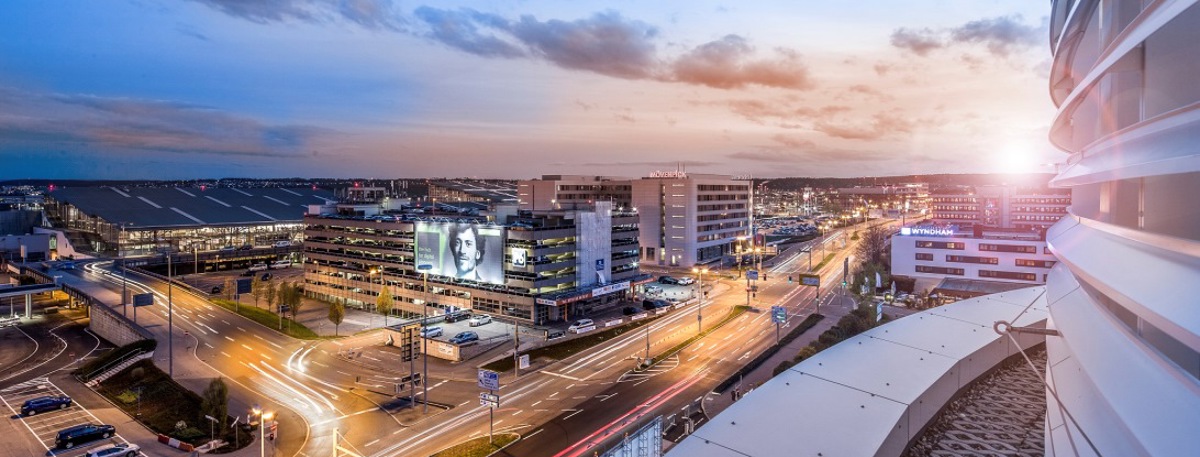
(463, 250)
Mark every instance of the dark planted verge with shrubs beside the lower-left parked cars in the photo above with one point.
(164, 404)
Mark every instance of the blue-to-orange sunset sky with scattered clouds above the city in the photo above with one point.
(155, 89)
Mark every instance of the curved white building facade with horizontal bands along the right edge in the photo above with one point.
(1125, 375)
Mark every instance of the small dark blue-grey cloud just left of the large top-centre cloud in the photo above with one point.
(470, 32)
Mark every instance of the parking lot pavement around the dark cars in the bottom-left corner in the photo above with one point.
(46, 426)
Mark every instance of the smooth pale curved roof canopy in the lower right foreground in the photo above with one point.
(873, 394)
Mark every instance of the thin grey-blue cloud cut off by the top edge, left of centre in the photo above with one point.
(375, 15)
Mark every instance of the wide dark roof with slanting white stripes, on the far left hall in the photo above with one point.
(178, 207)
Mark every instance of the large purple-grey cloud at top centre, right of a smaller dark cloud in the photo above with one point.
(605, 44)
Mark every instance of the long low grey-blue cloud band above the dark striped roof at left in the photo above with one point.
(104, 123)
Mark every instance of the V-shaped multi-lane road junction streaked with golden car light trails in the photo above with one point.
(562, 410)
